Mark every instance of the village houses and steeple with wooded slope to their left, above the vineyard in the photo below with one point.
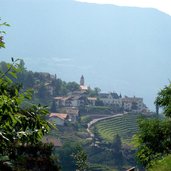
(67, 101)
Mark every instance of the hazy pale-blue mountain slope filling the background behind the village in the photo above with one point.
(122, 49)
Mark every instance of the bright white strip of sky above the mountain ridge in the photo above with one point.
(162, 5)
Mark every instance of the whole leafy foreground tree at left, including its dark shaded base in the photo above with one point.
(21, 127)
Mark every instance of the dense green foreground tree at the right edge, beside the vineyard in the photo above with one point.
(154, 135)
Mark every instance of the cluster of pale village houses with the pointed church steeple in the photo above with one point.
(74, 100)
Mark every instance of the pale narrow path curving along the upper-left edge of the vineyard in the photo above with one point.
(97, 120)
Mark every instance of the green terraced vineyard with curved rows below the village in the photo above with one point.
(125, 126)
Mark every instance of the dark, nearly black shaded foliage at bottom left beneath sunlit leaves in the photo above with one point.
(35, 157)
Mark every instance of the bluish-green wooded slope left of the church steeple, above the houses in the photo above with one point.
(45, 86)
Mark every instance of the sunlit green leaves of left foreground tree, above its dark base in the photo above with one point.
(18, 124)
